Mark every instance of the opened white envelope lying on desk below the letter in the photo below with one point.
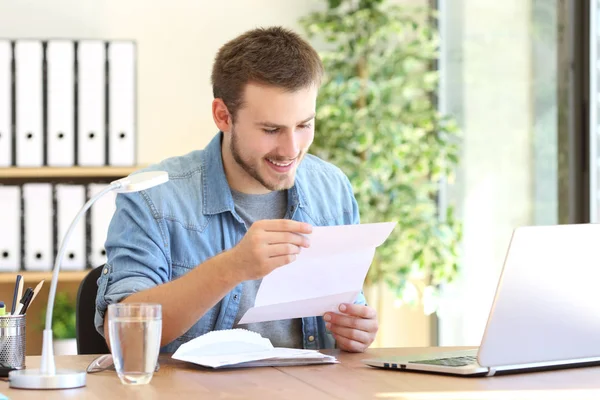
(236, 348)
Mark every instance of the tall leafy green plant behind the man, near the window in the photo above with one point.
(378, 121)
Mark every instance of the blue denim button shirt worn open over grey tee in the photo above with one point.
(160, 234)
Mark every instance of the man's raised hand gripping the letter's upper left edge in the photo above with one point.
(267, 245)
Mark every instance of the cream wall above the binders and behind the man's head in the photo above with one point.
(177, 41)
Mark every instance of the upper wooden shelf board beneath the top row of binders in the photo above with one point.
(66, 172)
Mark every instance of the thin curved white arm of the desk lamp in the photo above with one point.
(47, 364)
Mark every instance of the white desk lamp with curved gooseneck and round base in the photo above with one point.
(47, 376)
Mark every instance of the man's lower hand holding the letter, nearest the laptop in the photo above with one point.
(354, 329)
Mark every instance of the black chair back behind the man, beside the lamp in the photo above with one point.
(89, 341)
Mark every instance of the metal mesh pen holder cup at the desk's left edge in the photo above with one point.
(12, 341)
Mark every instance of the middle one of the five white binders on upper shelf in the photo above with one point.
(60, 65)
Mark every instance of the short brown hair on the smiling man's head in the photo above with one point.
(272, 56)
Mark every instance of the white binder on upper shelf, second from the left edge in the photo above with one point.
(28, 103)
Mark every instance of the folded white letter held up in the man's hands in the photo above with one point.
(331, 271)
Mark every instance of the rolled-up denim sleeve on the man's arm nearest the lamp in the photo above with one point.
(136, 253)
